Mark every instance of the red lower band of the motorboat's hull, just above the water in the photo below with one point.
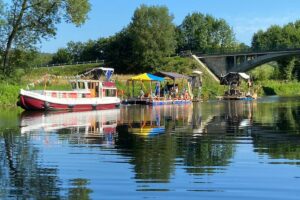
(29, 103)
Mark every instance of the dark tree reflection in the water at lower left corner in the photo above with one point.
(23, 176)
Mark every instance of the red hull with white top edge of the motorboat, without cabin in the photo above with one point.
(32, 103)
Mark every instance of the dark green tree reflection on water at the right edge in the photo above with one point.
(276, 131)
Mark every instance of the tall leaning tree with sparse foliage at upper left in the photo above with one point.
(26, 22)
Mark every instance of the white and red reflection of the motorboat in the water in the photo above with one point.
(98, 127)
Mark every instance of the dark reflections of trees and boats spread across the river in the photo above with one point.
(199, 139)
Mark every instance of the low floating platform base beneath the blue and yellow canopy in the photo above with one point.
(156, 101)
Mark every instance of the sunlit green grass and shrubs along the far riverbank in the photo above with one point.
(9, 91)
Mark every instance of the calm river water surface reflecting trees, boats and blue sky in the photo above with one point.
(233, 150)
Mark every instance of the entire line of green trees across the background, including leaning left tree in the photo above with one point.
(141, 46)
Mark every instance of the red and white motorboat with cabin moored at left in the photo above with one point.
(85, 95)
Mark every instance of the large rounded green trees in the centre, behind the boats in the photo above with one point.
(151, 36)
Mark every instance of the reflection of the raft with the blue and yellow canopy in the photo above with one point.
(151, 121)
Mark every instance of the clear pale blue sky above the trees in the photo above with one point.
(107, 17)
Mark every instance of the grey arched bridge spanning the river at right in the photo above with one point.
(222, 63)
